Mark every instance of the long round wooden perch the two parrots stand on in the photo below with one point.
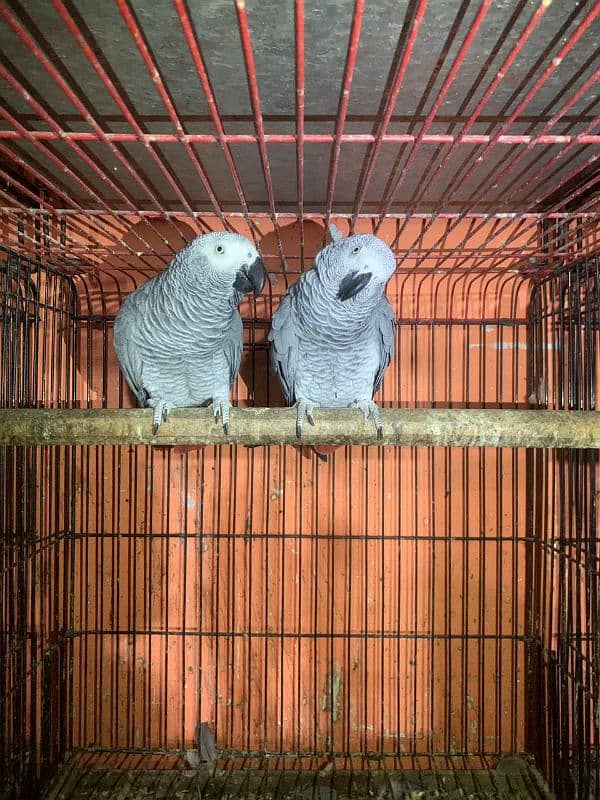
(265, 426)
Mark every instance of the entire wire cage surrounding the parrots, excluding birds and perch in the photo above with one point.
(393, 621)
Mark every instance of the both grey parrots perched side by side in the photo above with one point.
(178, 337)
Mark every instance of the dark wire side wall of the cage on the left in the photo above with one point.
(37, 348)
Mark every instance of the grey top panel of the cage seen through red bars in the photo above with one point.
(517, 79)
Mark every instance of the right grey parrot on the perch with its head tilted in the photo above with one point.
(332, 337)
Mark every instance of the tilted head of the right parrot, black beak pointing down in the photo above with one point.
(359, 264)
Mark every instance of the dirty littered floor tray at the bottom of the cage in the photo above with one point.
(84, 781)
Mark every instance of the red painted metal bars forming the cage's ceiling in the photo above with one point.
(113, 222)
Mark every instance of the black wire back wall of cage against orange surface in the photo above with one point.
(237, 588)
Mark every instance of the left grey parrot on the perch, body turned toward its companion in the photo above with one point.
(178, 337)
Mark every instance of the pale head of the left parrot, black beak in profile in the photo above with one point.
(228, 260)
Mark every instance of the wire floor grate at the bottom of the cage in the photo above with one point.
(87, 775)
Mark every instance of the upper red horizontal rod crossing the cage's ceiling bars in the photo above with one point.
(309, 138)
